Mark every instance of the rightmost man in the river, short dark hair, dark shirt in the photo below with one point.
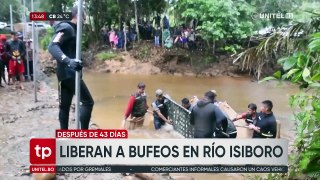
(266, 125)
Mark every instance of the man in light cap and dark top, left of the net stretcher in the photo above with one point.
(160, 110)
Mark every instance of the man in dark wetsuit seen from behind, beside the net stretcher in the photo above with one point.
(205, 116)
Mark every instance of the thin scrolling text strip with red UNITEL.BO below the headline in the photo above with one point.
(159, 169)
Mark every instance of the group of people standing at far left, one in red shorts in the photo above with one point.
(13, 54)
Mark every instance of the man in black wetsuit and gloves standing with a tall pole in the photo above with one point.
(63, 49)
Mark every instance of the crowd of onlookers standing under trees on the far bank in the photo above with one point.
(180, 36)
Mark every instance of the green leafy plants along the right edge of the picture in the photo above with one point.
(303, 68)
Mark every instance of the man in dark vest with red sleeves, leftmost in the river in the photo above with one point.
(137, 105)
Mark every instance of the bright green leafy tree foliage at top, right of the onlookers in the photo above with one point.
(219, 20)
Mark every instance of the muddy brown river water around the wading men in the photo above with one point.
(111, 93)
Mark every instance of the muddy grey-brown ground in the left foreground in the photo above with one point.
(22, 119)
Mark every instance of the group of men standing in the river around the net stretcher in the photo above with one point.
(206, 117)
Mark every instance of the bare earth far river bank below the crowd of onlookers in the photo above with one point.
(147, 60)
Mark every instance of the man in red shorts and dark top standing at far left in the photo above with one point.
(16, 52)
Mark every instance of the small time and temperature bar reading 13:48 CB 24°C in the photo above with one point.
(47, 16)
